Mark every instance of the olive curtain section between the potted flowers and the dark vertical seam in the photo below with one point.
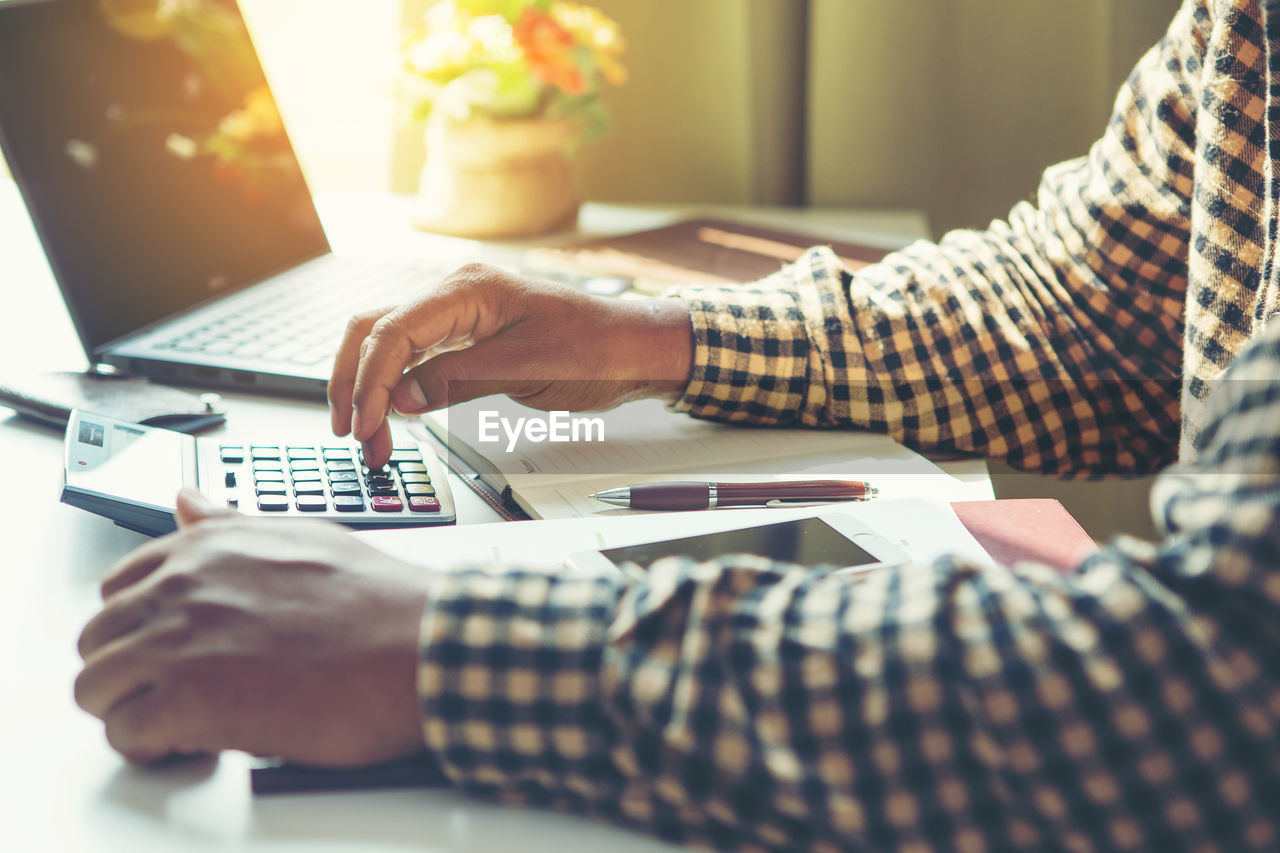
(715, 110)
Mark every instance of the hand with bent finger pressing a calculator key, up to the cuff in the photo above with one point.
(486, 331)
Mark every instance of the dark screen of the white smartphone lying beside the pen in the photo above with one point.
(808, 542)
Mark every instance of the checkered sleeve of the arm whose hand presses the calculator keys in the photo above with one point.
(1052, 340)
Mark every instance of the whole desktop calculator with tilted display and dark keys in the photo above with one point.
(132, 475)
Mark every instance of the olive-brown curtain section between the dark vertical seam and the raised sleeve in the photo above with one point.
(958, 106)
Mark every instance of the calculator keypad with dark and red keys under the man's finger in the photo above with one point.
(330, 481)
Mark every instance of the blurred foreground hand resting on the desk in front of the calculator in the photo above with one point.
(287, 640)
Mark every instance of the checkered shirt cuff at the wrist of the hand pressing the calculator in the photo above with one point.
(755, 357)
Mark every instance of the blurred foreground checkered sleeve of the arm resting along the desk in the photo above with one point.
(744, 705)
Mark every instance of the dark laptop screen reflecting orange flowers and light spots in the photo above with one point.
(152, 156)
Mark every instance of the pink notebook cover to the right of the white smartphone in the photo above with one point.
(1037, 530)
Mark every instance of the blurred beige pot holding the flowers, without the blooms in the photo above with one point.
(490, 179)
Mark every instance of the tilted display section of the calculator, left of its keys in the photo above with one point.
(139, 466)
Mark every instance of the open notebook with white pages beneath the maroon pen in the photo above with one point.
(644, 443)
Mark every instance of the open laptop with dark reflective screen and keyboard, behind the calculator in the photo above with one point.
(170, 202)
